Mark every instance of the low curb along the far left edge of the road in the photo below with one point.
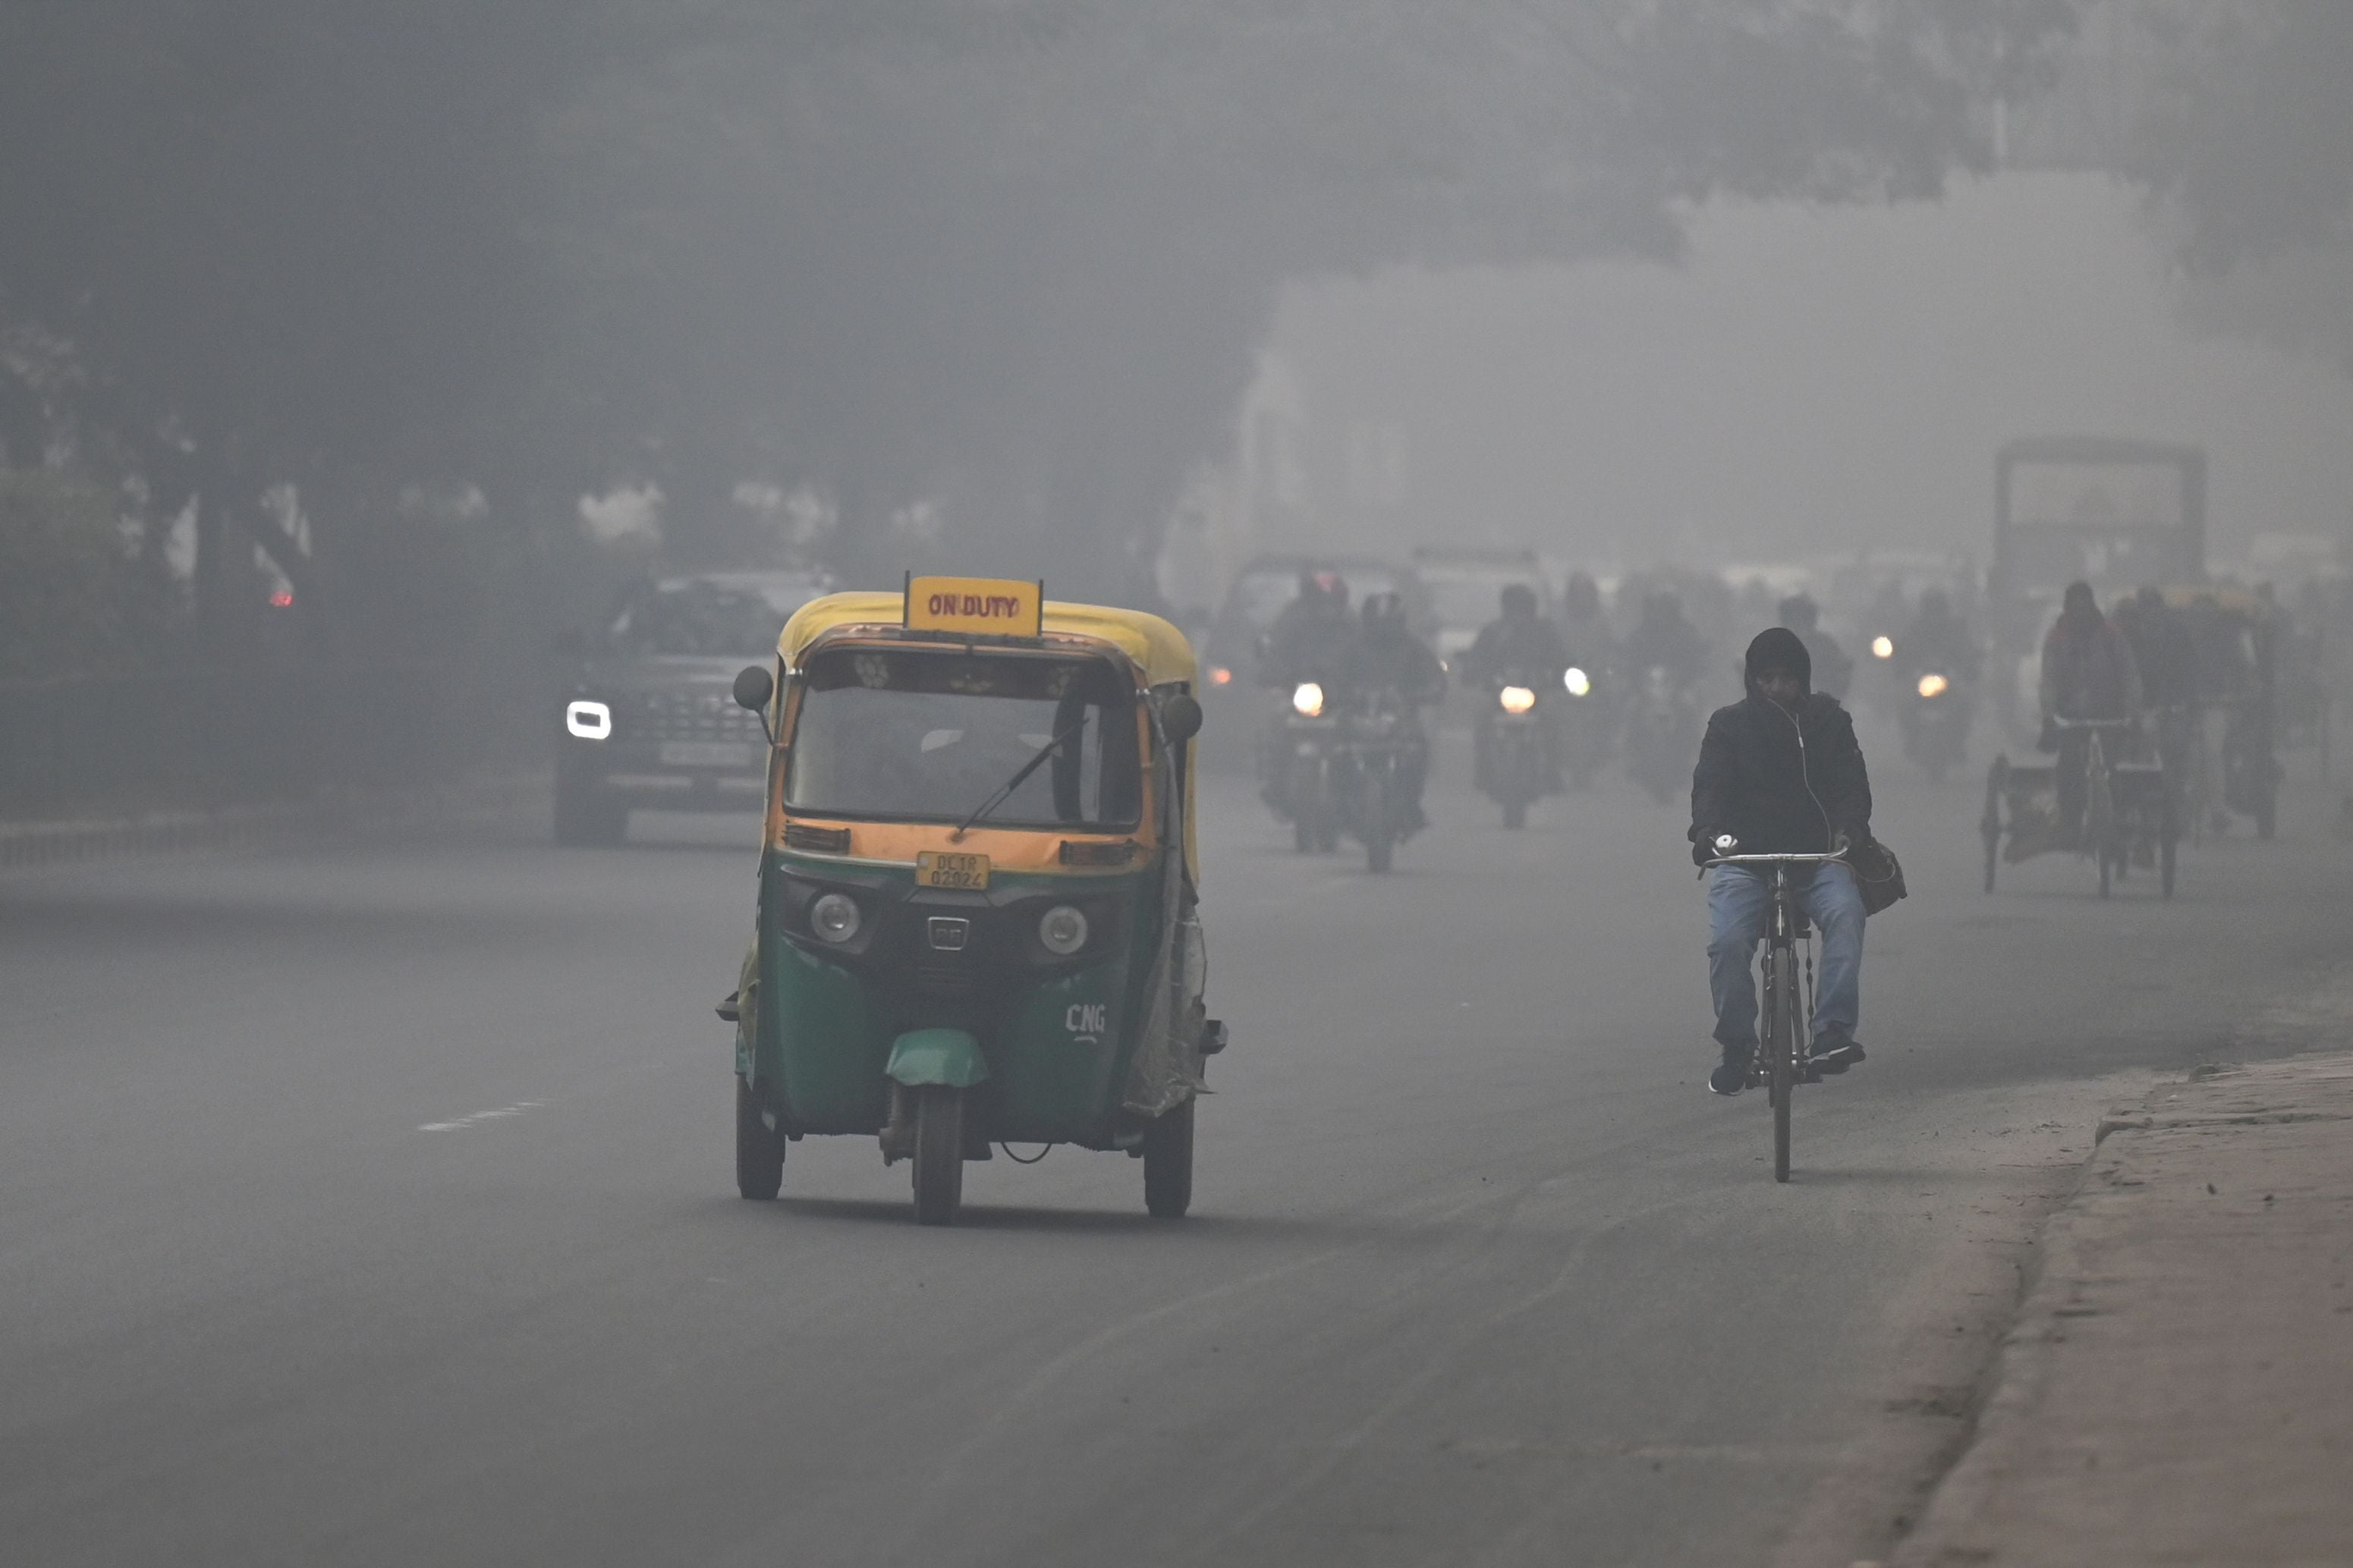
(488, 800)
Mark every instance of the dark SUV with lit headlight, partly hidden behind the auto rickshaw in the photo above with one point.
(648, 716)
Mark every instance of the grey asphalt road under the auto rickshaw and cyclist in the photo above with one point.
(375, 1207)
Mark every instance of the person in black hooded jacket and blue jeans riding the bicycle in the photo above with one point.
(1780, 772)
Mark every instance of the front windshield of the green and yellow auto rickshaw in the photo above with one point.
(921, 735)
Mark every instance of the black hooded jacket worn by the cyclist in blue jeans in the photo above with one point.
(1780, 782)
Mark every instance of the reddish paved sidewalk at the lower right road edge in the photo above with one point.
(2180, 1381)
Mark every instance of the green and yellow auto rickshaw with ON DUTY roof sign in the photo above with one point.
(978, 909)
